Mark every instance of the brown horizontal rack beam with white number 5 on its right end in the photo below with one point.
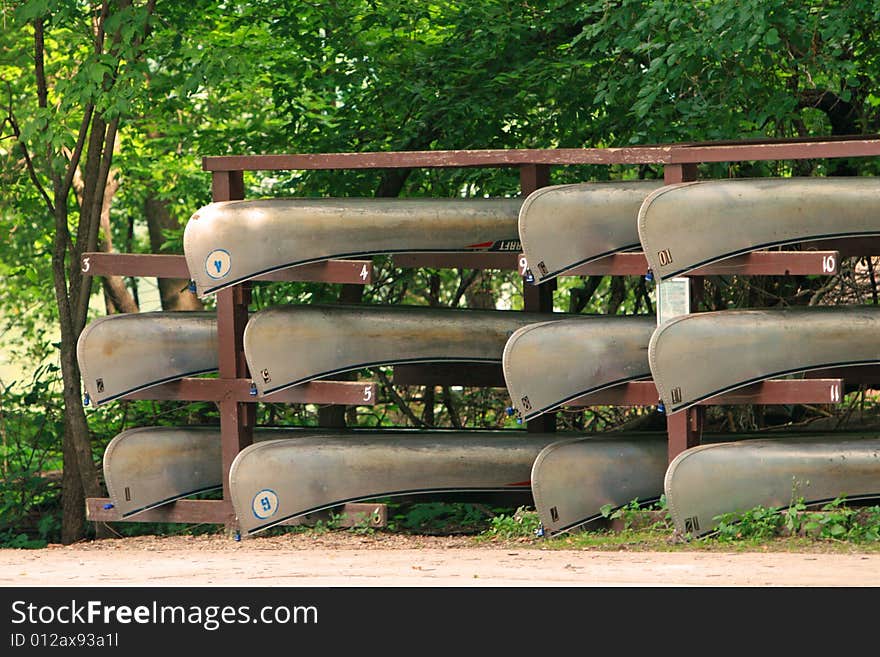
(350, 393)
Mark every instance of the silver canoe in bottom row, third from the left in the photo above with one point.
(573, 479)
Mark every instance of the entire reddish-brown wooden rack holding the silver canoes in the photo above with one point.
(232, 389)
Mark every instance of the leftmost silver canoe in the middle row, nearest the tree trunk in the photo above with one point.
(120, 354)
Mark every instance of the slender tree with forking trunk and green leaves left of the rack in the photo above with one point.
(86, 69)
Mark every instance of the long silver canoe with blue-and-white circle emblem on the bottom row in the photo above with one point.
(276, 480)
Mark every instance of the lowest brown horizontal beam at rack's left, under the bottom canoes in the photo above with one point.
(219, 512)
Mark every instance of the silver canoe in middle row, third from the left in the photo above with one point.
(550, 363)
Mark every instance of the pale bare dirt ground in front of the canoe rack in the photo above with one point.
(339, 559)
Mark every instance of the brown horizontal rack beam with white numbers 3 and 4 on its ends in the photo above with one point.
(174, 266)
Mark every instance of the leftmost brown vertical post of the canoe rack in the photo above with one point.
(236, 418)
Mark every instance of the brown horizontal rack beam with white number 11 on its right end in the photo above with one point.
(775, 391)
